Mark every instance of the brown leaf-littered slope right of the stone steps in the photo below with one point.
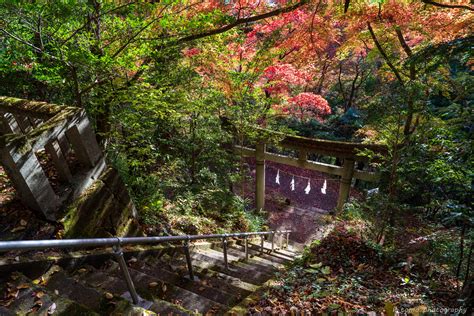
(344, 273)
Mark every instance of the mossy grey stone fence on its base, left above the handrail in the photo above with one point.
(90, 199)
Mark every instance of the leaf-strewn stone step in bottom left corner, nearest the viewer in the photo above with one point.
(33, 298)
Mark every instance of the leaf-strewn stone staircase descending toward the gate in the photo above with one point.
(97, 287)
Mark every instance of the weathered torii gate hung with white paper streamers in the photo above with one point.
(347, 151)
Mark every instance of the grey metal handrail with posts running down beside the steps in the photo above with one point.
(118, 242)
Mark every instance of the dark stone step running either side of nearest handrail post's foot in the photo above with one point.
(105, 282)
